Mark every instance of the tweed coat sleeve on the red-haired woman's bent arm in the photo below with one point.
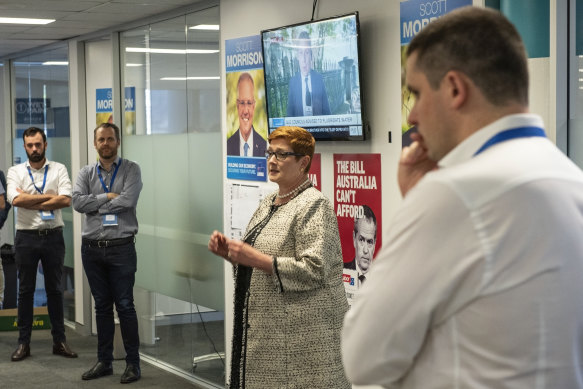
(317, 250)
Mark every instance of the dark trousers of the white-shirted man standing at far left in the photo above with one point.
(49, 249)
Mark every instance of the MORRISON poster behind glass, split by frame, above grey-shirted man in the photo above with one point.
(104, 108)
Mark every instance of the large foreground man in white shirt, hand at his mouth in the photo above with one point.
(479, 284)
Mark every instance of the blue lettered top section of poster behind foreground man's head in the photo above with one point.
(416, 14)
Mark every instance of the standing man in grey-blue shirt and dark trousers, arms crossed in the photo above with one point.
(107, 193)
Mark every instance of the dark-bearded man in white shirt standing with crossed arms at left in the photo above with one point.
(39, 189)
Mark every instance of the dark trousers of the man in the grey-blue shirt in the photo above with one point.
(111, 274)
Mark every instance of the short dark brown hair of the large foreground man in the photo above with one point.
(480, 43)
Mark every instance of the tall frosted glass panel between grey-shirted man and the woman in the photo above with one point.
(171, 127)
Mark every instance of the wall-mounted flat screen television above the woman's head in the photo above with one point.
(312, 77)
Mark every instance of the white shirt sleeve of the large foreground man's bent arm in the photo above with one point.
(423, 274)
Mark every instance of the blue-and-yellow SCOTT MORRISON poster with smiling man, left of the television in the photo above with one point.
(246, 138)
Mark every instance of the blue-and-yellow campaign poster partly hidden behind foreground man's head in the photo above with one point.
(416, 14)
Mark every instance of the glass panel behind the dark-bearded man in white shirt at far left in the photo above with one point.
(40, 92)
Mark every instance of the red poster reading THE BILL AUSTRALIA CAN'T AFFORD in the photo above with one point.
(358, 207)
